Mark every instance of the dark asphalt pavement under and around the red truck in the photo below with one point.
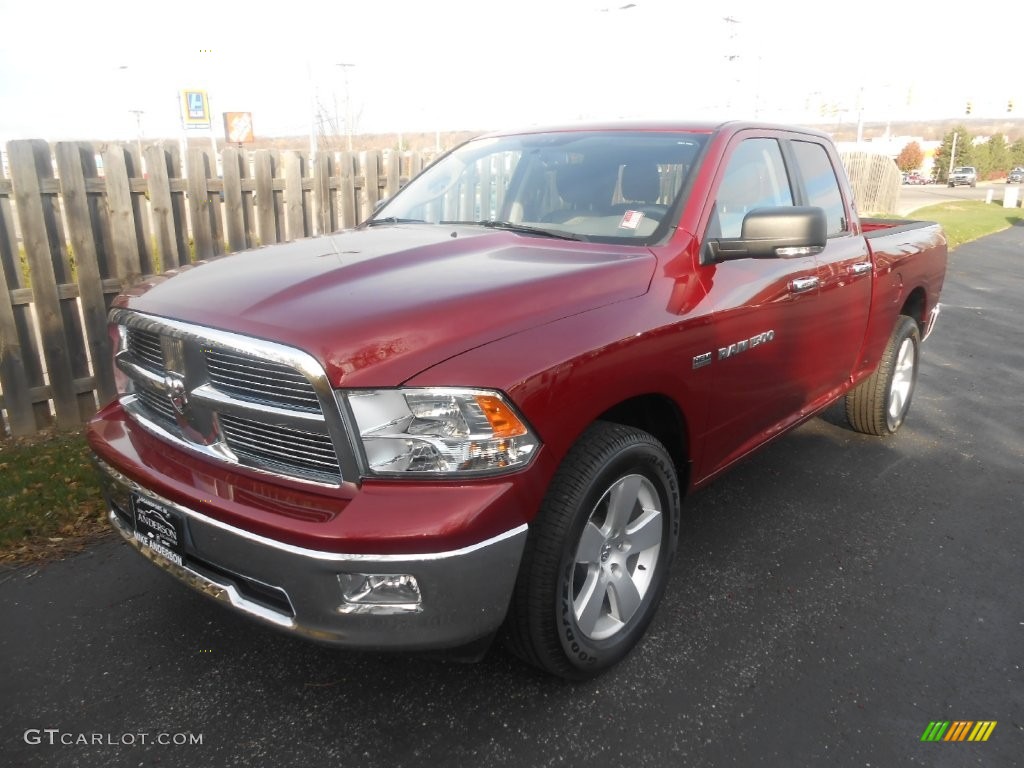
(832, 596)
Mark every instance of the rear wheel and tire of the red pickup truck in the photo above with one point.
(880, 404)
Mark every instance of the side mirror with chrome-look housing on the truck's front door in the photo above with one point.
(773, 233)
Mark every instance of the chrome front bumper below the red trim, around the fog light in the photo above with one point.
(464, 593)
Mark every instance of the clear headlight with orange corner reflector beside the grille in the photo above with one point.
(441, 432)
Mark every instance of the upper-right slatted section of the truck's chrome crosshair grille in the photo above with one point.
(261, 381)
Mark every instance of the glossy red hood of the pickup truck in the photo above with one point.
(378, 307)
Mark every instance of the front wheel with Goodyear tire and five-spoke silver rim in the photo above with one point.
(599, 554)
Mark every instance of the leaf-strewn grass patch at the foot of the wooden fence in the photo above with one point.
(50, 498)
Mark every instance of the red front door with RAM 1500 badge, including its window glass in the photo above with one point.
(763, 311)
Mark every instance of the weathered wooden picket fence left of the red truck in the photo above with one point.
(79, 223)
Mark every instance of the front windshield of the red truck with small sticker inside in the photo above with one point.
(595, 186)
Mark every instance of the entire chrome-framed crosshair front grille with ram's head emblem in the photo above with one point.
(237, 400)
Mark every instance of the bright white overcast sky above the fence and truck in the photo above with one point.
(77, 71)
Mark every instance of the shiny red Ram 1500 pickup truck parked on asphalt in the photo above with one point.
(479, 413)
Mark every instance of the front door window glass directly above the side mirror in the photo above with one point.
(755, 178)
